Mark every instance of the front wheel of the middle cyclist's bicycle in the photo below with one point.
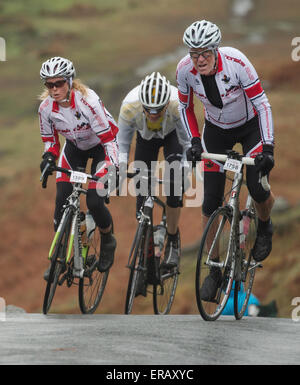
(136, 267)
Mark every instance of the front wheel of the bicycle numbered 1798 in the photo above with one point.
(215, 255)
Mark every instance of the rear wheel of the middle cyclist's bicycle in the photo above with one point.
(164, 291)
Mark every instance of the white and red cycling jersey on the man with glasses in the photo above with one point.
(240, 90)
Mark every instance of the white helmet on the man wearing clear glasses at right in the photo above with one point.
(202, 34)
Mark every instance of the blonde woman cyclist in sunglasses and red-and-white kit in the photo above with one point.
(73, 110)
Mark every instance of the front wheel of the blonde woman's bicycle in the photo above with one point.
(57, 260)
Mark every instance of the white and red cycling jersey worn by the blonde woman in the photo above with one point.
(86, 123)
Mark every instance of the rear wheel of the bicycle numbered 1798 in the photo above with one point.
(242, 289)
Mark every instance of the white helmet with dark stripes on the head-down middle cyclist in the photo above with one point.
(154, 92)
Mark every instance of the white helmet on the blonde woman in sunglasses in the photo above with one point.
(57, 67)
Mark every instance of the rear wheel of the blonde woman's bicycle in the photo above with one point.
(92, 285)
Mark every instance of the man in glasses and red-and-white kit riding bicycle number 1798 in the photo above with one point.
(236, 111)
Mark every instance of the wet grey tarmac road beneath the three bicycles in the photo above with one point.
(104, 339)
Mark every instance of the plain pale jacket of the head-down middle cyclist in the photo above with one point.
(132, 118)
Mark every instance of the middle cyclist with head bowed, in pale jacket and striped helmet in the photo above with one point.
(151, 110)
